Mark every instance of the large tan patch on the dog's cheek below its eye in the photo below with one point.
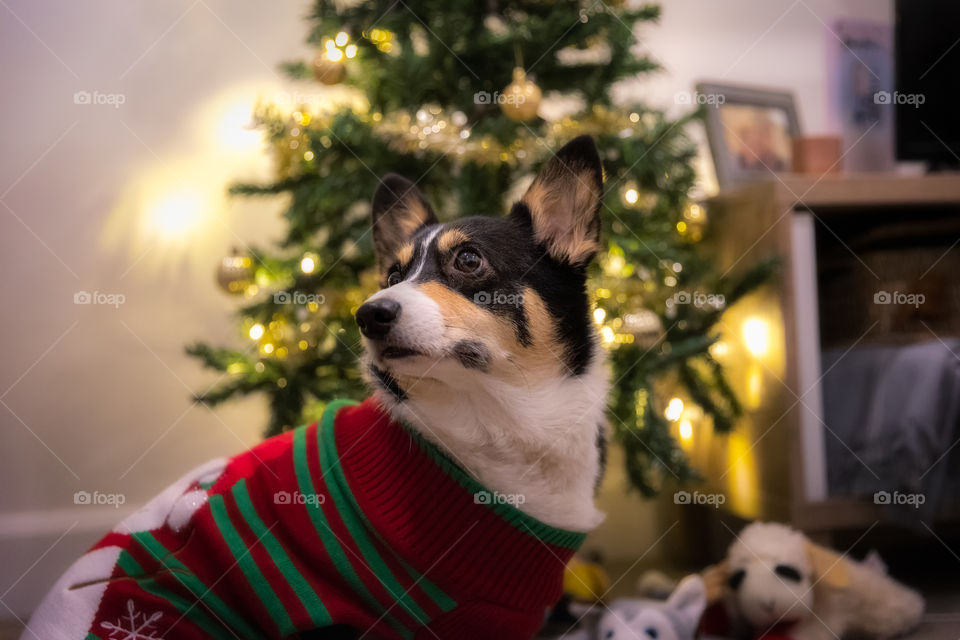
(512, 361)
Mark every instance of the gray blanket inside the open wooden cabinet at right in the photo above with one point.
(893, 424)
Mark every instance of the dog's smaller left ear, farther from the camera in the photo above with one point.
(398, 210)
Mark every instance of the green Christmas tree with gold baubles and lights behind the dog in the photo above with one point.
(449, 95)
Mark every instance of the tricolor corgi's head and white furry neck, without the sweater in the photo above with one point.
(481, 337)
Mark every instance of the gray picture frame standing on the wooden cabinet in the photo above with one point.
(750, 131)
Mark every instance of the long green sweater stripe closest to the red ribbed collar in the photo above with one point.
(346, 506)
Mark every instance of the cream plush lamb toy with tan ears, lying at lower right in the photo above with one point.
(780, 585)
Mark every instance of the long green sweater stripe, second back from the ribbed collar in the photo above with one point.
(330, 543)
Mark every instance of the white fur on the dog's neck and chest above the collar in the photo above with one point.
(536, 448)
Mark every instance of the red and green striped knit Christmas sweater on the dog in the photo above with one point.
(356, 521)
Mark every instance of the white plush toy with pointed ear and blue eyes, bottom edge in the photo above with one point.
(676, 618)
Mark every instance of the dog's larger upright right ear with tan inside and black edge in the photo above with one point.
(563, 203)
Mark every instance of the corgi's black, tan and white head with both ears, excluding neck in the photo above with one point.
(503, 296)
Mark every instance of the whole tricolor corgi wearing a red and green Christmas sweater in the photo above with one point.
(447, 504)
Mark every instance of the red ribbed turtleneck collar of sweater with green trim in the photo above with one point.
(438, 518)
